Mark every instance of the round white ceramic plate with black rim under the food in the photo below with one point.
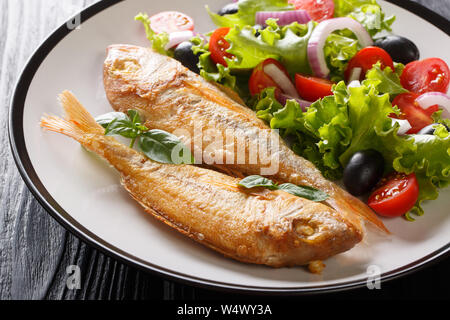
(84, 194)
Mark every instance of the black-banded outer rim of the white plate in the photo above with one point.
(31, 179)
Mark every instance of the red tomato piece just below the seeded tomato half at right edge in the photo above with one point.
(417, 117)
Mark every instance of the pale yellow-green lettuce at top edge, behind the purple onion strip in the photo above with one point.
(247, 11)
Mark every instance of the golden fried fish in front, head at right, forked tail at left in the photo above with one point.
(273, 228)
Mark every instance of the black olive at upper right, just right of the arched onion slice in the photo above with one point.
(399, 48)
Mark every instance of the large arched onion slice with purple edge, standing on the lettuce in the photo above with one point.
(316, 43)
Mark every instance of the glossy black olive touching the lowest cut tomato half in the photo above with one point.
(363, 171)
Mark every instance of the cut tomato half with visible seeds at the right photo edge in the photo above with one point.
(426, 75)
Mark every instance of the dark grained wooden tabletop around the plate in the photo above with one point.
(35, 250)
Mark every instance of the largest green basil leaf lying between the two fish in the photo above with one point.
(164, 147)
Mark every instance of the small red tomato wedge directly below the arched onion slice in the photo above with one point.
(312, 88)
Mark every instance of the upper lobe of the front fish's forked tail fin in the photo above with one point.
(78, 115)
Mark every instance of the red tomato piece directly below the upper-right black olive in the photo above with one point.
(366, 58)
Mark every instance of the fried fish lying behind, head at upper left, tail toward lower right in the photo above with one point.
(172, 97)
